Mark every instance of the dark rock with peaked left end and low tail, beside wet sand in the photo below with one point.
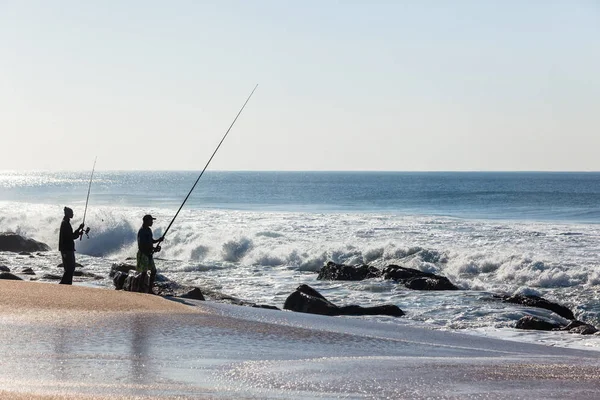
(307, 300)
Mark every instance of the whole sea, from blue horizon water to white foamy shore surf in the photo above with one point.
(258, 235)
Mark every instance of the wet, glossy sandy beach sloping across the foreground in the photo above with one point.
(74, 342)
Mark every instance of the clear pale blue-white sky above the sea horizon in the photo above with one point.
(343, 85)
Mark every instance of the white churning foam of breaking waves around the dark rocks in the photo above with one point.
(263, 256)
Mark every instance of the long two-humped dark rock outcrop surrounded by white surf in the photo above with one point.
(409, 277)
